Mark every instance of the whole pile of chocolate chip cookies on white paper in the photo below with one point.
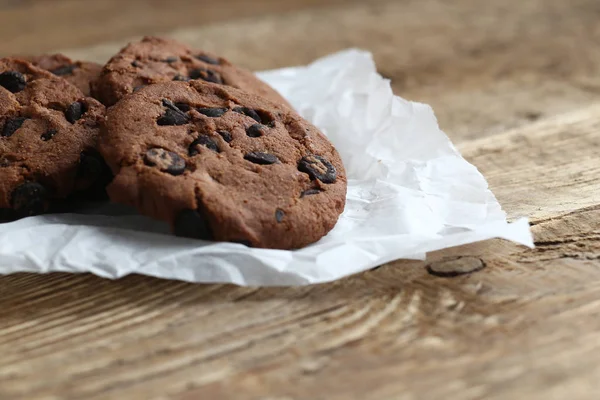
(187, 138)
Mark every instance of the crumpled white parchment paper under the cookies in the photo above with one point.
(409, 192)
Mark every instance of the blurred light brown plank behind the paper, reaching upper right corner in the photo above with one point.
(484, 68)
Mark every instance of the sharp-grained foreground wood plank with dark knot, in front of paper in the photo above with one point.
(525, 326)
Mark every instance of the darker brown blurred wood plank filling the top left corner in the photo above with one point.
(43, 25)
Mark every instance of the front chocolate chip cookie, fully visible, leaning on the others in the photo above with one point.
(218, 163)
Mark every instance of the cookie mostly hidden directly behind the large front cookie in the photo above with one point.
(154, 60)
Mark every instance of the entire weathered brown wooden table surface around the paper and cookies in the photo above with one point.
(515, 84)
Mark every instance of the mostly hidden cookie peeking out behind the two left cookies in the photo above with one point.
(79, 73)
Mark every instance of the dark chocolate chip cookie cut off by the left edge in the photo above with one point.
(48, 133)
